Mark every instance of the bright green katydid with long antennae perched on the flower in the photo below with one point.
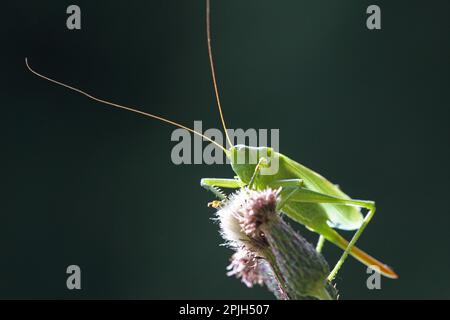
(306, 197)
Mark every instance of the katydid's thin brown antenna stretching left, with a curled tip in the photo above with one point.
(123, 107)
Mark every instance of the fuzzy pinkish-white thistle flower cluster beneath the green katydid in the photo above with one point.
(268, 249)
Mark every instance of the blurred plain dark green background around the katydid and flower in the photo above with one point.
(89, 185)
